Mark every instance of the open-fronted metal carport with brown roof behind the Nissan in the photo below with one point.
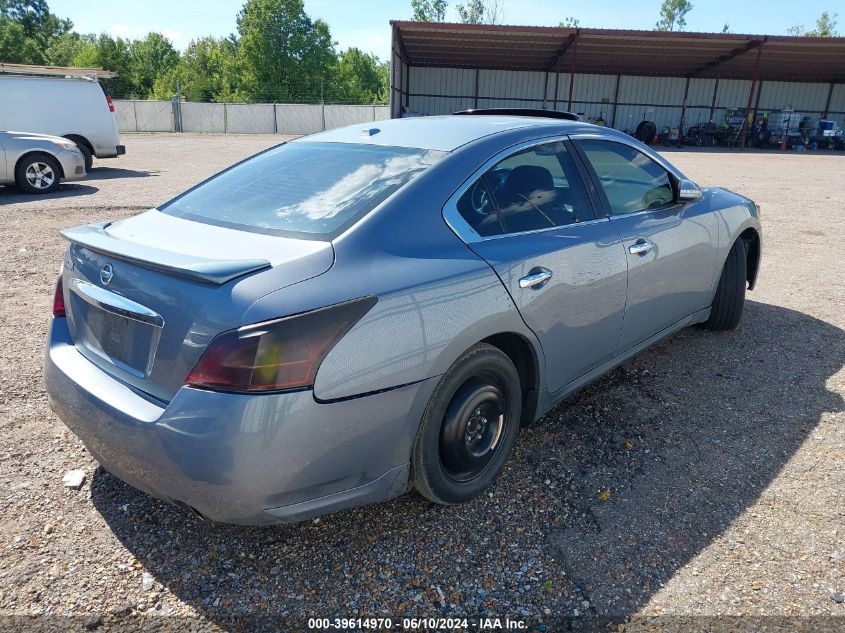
(621, 75)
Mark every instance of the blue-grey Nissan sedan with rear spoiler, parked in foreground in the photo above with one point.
(381, 307)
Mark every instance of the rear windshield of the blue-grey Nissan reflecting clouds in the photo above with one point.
(311, 190)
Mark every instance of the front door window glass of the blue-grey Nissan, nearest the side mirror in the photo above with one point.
(631, 180)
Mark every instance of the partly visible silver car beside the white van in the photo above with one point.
(37, 163)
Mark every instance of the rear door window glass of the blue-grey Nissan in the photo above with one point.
(535, 188)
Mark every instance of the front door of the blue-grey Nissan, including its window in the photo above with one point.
(671, 246)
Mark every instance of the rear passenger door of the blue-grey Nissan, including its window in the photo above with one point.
(532, 219)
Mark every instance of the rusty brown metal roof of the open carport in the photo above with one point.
(621, 52)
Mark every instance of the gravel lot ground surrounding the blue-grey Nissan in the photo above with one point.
(701, 486)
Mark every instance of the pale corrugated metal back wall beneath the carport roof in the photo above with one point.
(428, 90)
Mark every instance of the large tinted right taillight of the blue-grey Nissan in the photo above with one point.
(276, 355)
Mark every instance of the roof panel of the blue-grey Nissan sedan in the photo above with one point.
(444, 133)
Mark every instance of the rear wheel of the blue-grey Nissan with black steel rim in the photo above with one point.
(468, 428)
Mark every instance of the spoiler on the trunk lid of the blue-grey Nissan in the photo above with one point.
(210, 271)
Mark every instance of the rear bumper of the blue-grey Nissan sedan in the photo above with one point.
(247, 459)
